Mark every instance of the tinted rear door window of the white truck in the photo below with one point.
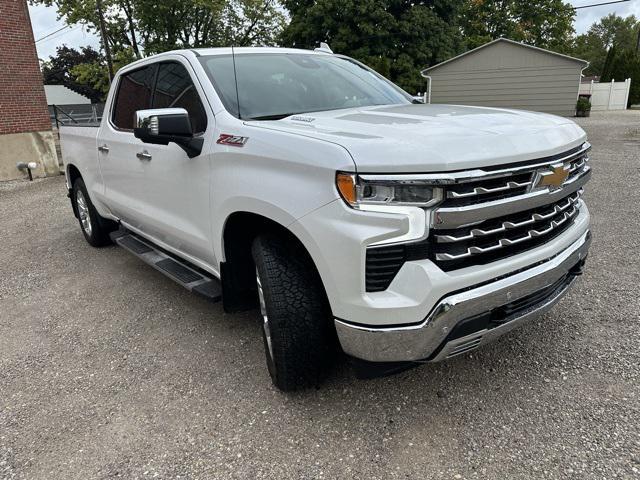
(134, 93)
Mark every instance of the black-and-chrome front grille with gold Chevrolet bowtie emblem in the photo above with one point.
(487, 215)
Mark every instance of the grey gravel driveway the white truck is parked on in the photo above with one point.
(108, 369)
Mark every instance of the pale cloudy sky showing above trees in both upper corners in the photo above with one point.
(44, 21)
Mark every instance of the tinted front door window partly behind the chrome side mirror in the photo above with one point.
(174, 88)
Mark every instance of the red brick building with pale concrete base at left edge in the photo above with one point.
(25, 129)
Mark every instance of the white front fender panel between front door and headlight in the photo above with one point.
(278, 175)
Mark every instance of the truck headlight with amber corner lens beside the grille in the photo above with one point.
(379, 190)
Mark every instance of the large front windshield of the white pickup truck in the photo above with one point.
(273, 86)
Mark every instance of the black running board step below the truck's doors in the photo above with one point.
(178, 270)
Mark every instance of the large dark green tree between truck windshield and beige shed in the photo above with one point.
(396, 37)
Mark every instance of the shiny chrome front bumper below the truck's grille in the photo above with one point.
(428, 339)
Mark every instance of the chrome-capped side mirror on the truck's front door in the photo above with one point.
(163, 125)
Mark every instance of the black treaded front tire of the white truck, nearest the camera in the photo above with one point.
(298, 313)
